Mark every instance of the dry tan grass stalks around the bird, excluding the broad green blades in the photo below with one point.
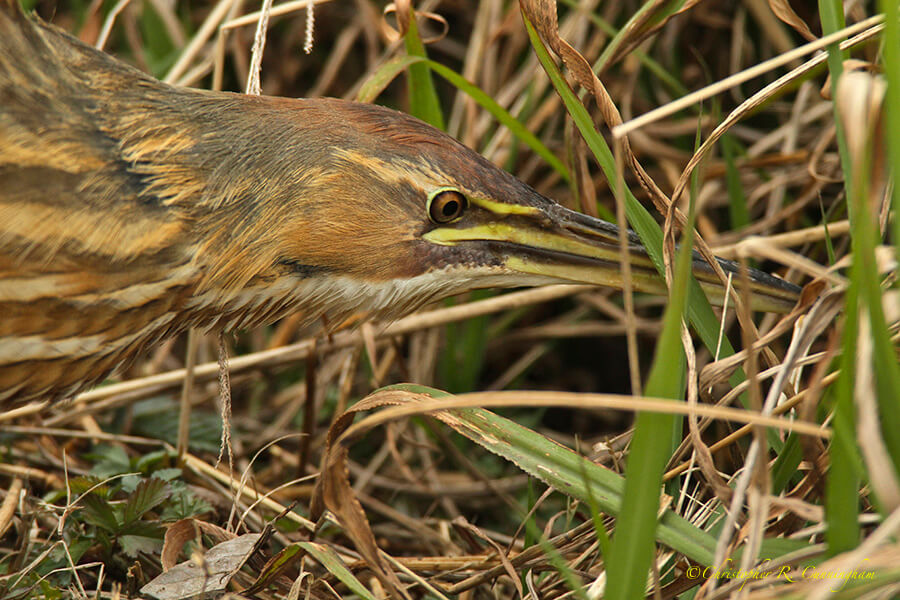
(454, 516)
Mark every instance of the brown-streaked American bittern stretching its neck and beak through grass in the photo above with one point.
(131, 210)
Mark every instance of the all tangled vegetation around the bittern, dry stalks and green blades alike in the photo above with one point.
(774, 474)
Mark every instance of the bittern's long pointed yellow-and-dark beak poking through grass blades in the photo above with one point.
(567, 246)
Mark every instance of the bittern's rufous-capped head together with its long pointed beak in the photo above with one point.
(390, 212)
